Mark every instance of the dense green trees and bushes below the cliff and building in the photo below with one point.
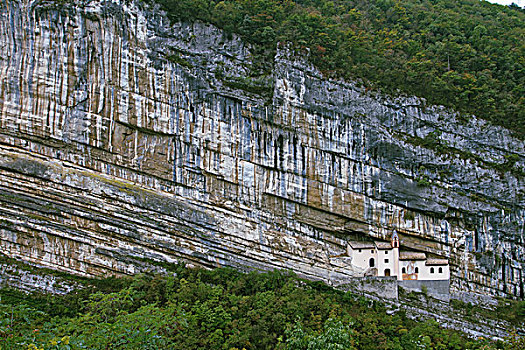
(218, 309)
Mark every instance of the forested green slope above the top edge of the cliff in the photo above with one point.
(469, 55)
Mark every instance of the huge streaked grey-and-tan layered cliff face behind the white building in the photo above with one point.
(126, 141)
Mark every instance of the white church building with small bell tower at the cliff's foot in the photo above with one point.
(385, 259)
